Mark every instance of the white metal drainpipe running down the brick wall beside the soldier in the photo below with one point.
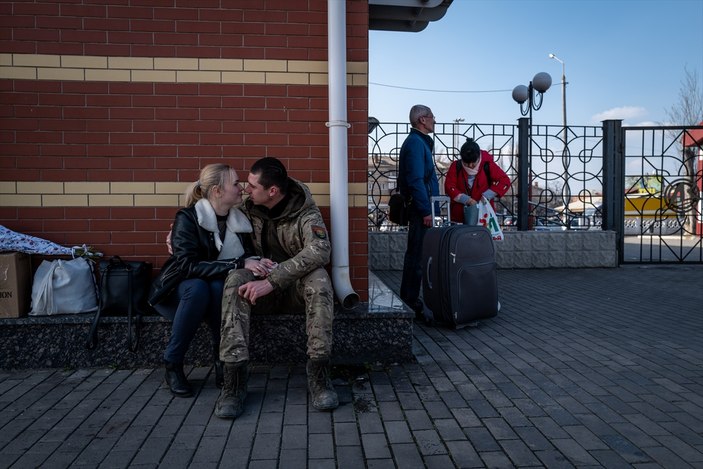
(338, 125)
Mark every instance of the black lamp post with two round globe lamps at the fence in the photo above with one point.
(528, 97)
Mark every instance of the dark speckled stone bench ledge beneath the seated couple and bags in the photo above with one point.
(379, 331)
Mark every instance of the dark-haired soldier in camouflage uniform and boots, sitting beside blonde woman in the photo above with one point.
(288, 230)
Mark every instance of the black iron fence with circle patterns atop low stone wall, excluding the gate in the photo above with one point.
(563, 171)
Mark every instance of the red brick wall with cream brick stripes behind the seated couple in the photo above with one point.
(61, 126)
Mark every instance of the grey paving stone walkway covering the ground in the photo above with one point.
(582, 368)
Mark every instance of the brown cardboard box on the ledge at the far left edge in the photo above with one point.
(15, 284)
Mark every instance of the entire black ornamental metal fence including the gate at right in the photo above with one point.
(641, 182)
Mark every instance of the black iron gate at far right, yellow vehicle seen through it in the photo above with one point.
(662, 195)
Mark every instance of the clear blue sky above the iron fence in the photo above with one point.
(624, 59)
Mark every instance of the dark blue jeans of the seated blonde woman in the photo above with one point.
(195, 300)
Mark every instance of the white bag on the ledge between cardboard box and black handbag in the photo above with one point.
(64, 287)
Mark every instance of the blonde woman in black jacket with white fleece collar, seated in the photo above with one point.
(209, 237)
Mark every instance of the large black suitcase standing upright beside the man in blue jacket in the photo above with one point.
(460, 280)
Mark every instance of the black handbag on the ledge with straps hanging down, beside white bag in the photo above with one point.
(124, 287)
